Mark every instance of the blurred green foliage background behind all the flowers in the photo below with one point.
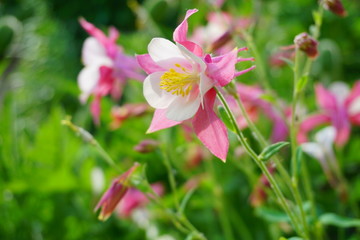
(45, 170)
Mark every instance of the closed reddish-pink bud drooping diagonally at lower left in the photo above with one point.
(114, 194)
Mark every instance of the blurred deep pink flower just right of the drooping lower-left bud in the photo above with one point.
(134, 199)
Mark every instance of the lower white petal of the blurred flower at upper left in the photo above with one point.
(88, 79)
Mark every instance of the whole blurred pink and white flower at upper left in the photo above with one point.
(106, 67)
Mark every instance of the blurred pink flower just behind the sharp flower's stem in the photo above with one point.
(251, 99)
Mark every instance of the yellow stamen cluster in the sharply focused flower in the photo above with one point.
(178, 83)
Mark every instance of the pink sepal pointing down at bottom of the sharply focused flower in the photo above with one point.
(210, 129)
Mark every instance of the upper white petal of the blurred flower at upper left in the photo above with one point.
(93, 53)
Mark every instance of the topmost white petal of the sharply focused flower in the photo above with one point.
(162, 50)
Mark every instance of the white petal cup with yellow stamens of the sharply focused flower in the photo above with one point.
(182, 84)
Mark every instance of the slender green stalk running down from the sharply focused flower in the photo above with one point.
(263, 168)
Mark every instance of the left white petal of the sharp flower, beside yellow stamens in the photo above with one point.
(156, 97)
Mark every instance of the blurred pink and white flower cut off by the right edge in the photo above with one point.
(339, 107)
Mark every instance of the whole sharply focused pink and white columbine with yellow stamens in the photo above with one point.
(180, 86)
